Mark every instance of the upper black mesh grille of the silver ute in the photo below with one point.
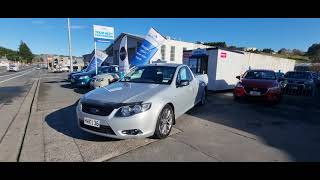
(97, 109)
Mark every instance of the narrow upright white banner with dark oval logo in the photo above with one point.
(123, 55)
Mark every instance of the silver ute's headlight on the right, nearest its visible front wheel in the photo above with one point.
(130, 110)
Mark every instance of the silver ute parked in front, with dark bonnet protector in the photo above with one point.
(143, 103)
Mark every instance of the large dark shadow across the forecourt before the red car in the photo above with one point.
(291, 126)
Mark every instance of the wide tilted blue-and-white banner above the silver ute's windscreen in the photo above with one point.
(148, 48)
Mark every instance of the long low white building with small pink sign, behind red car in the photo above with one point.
(223, 65)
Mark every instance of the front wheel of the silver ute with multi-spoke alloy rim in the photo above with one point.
(164, 123)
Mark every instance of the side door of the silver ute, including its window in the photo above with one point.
(183, 96)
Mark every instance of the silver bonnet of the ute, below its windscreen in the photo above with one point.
(125, 92)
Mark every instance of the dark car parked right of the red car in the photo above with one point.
(299, 82)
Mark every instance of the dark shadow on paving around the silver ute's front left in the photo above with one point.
(64, 121)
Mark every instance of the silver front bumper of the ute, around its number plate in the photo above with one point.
(145, 122)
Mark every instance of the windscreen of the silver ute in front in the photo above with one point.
(150, 74)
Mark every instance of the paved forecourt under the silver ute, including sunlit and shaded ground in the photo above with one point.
(222, 130)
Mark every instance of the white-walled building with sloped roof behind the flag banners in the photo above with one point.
(171, 51)
